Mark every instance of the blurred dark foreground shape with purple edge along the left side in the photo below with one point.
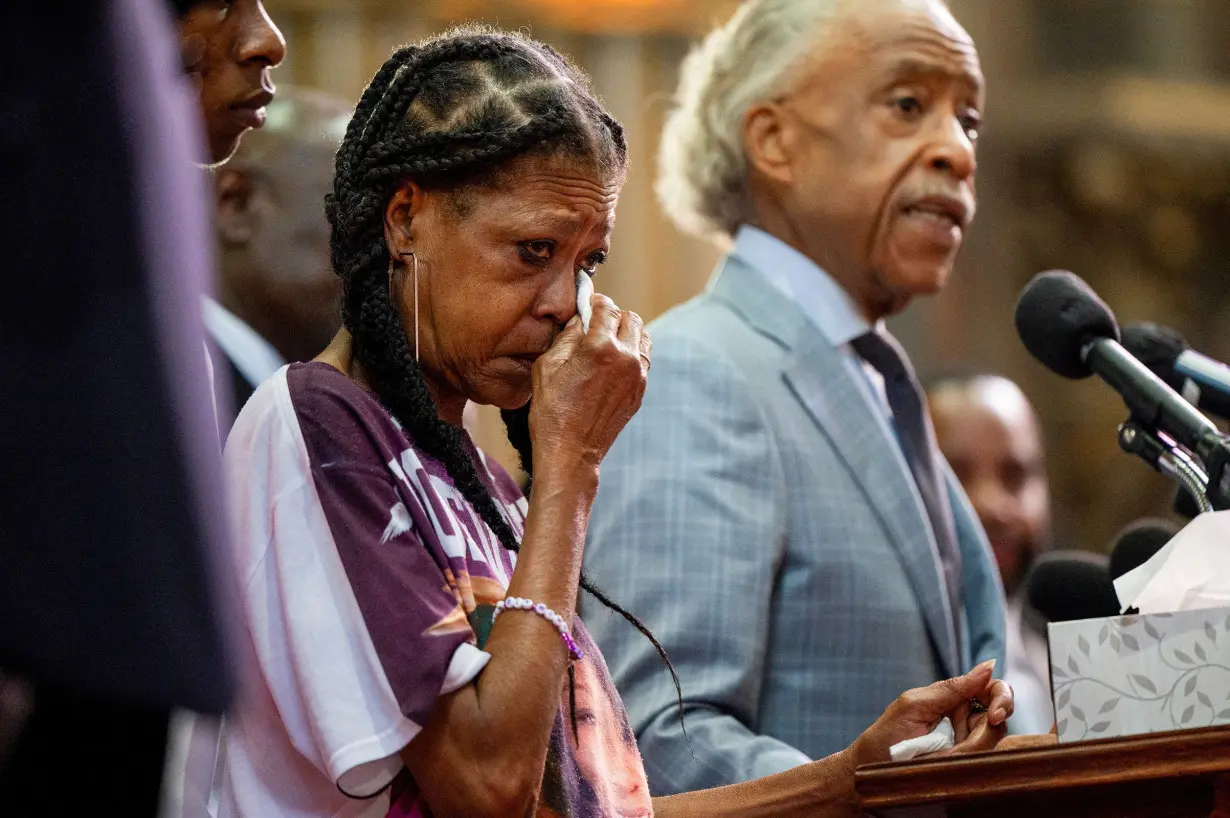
(110, 495)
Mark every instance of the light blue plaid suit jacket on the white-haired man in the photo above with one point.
(763, 523)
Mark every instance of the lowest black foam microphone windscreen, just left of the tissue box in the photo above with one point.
(1067, 586)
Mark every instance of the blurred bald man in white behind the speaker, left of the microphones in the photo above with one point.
(991, 436)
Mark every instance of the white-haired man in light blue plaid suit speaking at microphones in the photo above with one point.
(778, 510)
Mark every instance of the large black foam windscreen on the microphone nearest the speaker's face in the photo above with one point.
(1057, 316)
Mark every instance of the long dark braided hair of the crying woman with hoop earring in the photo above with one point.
(453, 114)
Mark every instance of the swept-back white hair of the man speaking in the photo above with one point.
(702, 165)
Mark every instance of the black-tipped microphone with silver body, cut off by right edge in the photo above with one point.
(1202, 381)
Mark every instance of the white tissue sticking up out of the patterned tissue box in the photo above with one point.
(1191, 573)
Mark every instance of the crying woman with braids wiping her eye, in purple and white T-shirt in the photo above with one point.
(409, 617)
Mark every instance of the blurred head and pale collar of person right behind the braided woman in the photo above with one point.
(279, 300)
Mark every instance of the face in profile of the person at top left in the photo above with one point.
(229, 49)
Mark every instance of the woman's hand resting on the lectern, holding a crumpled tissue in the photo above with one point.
(918, 712)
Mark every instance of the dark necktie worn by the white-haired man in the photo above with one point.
(917, 439)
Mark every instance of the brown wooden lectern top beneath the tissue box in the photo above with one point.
(1180, 776)
